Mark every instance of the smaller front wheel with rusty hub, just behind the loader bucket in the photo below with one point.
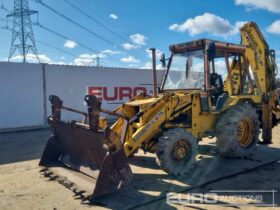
(176, 151)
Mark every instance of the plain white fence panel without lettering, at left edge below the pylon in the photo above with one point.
(21, 95)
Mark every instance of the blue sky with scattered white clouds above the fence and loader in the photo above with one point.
(121, 31)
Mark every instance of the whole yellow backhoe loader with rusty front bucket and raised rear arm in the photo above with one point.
(209, 89)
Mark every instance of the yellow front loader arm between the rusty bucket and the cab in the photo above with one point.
(150, 120)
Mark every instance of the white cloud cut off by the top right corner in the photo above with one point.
(270, 5)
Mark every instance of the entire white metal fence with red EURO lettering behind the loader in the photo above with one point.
(25, 88)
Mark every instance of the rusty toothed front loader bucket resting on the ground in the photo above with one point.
(75, 154)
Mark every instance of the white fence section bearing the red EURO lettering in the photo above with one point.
(113, 85)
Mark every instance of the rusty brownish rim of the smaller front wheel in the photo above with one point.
(181, 151)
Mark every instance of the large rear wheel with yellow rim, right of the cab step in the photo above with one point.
(238, 131)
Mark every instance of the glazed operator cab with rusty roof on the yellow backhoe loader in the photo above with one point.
(207, 66)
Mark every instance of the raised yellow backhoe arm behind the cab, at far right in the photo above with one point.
(260, 59)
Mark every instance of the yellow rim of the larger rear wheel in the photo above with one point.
(245, 132)
